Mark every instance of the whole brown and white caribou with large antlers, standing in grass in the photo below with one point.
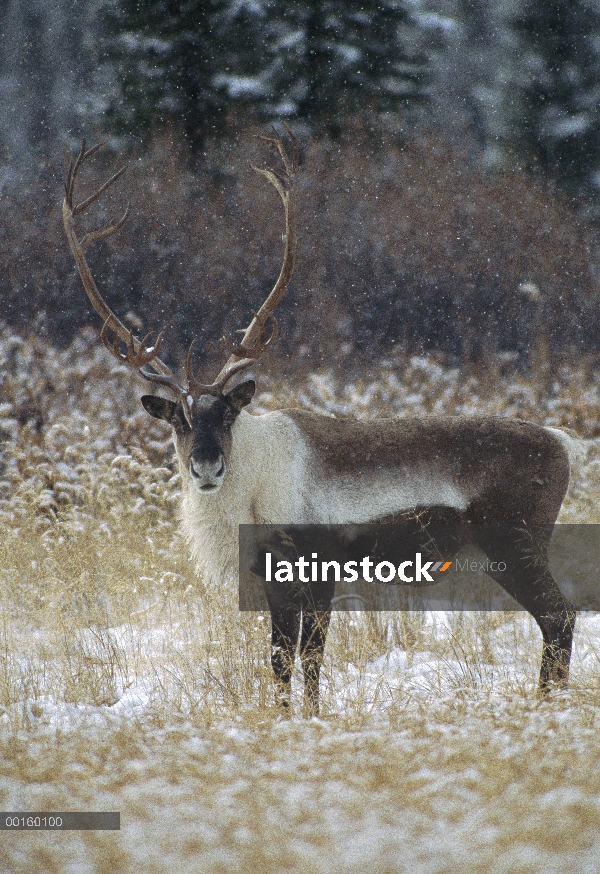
(296, 467)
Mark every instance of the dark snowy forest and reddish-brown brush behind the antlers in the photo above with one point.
(448, 195)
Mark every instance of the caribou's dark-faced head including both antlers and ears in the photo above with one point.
(202, 415)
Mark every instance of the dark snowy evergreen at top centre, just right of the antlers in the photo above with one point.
(329, 59)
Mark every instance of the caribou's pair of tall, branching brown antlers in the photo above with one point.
(137, 355)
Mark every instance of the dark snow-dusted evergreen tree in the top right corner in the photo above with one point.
(554, 94)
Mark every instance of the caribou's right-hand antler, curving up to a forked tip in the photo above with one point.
(254, 344)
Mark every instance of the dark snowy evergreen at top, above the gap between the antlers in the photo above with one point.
(172, 61)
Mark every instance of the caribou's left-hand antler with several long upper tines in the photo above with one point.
(137, 356)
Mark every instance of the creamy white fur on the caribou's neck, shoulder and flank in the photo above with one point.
(273, 477)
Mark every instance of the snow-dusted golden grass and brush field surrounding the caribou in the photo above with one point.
(127, 683)
